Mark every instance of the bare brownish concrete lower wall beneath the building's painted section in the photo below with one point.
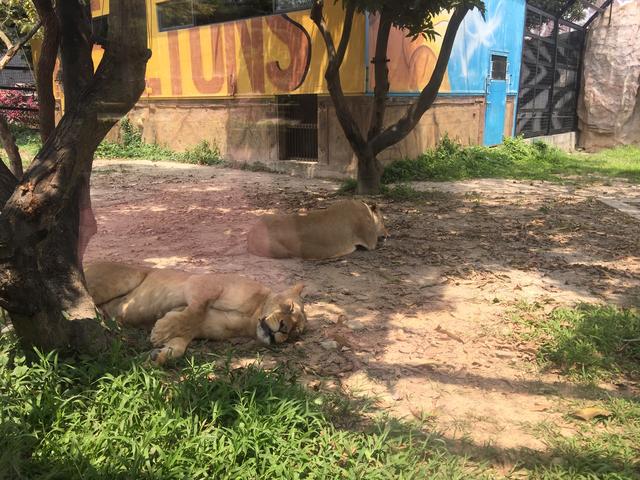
(245, 130)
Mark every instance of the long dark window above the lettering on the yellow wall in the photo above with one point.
(174, 14)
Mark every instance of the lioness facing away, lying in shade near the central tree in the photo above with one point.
(329, 233)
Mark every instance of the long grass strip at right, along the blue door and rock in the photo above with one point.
(514, 158)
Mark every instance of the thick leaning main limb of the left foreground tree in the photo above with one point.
(116, 86)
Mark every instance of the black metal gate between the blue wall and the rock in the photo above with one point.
(549, 75)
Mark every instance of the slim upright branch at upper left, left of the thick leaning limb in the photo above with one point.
(46, 66)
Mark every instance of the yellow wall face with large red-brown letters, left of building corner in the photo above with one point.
(276, 54)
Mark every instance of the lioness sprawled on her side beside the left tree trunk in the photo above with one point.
(182, 306)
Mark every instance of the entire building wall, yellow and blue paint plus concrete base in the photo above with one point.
(218, 82)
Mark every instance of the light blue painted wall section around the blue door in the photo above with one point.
(499, 32)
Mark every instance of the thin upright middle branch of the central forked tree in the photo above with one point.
(381, 89)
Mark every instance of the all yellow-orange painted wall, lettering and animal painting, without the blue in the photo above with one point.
(277, 54)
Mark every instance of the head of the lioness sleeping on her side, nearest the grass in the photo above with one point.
(283, 318)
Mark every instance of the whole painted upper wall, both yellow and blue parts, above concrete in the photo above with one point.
(284, 54)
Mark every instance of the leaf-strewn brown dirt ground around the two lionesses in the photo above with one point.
(422, 322)
